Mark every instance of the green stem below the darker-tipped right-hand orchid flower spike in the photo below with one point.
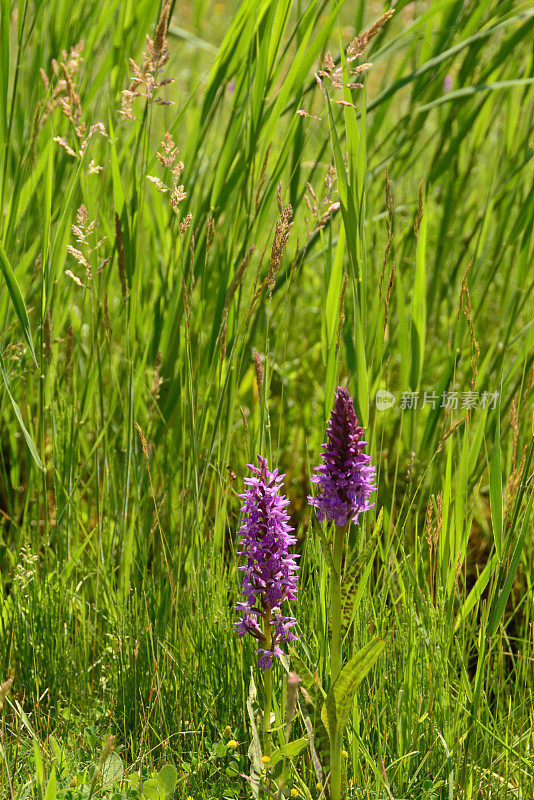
(335, 653)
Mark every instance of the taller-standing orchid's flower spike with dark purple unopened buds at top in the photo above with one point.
(345, 478)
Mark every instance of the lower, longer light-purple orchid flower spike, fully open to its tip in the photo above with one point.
(270, 571)
